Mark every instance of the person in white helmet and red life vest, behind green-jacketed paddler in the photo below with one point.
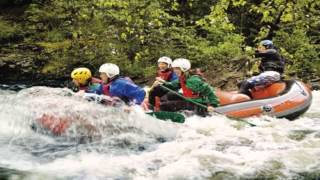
(164, 73)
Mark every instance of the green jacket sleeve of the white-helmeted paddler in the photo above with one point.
(207, 93)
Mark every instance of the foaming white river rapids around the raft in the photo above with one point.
(137, 146)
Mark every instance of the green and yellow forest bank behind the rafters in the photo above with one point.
(42, 41)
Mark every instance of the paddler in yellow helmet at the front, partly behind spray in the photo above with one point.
(83, 81)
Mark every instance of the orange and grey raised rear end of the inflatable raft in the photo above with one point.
(288, 99)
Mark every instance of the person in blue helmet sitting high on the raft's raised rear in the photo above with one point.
(271, 67)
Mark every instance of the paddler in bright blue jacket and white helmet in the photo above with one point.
(116, 86)
